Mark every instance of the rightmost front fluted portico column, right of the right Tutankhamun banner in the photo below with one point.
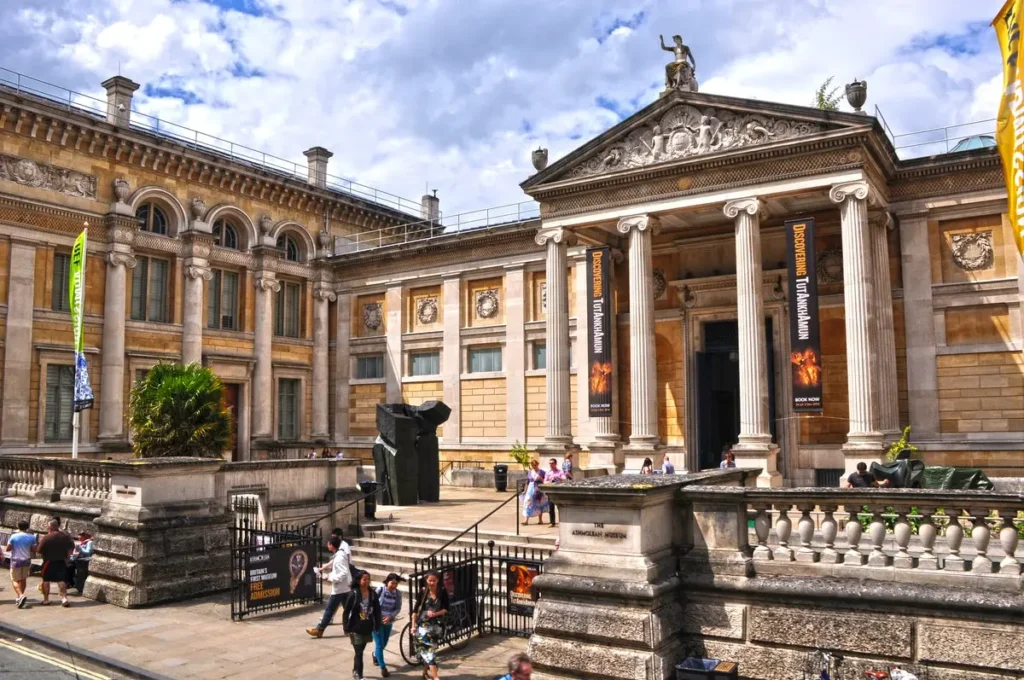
(863, 443)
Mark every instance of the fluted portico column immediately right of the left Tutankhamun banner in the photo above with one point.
(644, 363)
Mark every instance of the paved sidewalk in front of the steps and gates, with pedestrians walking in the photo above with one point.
(198, 640)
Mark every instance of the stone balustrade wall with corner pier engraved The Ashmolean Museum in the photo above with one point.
(653, 570)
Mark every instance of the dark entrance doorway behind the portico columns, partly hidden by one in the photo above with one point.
(718, 390)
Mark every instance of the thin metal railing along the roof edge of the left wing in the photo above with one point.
(73, 101)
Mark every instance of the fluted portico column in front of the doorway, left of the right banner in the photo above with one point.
(755, 448)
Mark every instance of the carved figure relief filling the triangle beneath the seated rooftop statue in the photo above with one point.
(687, 132)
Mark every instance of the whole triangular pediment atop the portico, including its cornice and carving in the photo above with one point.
(692, 126)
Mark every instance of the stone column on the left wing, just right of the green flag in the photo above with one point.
(120, 259)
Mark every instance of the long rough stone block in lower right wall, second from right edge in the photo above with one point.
(877, 634)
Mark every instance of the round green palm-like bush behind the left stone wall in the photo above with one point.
(179, 411)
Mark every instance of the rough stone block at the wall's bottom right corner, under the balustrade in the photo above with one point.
(965, 644)
